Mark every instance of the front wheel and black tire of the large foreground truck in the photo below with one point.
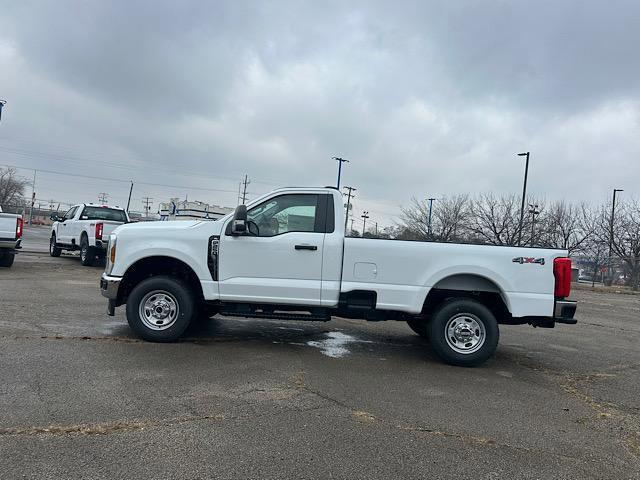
(169, 290)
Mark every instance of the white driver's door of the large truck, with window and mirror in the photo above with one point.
(280, 259)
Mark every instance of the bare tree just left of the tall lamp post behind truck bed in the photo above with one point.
(495, 220)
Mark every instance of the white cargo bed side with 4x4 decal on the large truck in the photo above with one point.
(403, 272)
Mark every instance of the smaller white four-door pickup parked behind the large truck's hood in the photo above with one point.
(85, 227)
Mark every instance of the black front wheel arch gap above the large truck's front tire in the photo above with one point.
(151, 266)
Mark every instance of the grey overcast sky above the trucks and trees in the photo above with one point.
(426, 98)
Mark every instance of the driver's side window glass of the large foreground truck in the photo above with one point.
(286, 213)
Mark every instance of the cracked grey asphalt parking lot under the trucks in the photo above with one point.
(81, 398)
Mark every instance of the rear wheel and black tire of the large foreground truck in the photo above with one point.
(464, 332)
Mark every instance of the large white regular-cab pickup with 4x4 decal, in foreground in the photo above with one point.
(285, 256)
